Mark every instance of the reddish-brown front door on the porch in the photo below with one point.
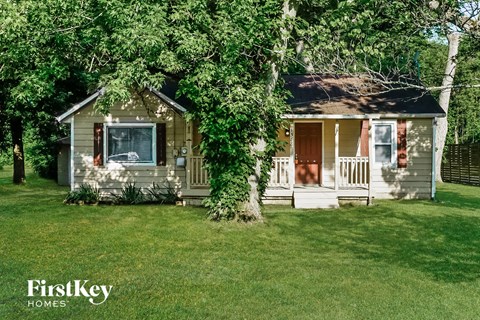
(308, 153)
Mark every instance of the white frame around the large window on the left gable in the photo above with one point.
(153, 127)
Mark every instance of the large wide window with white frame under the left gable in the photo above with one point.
(131, 143)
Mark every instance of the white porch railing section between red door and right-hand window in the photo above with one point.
(353, 172)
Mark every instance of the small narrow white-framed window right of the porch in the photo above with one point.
(385, 142)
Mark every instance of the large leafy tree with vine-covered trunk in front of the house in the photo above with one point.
(228, 55)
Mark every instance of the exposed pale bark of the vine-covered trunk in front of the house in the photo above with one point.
(252, 208)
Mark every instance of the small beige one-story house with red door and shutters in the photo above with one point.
(345, 138)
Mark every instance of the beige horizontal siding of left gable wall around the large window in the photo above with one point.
(111, 177)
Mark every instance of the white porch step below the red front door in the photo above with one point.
(315, 199)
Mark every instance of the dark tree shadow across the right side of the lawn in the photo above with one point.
(438, 241)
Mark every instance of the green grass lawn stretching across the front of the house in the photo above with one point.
(393, 260)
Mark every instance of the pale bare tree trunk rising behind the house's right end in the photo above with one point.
(444, 99)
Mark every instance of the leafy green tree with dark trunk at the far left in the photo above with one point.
(37, 49)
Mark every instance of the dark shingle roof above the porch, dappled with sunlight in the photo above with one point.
(331, 95)
